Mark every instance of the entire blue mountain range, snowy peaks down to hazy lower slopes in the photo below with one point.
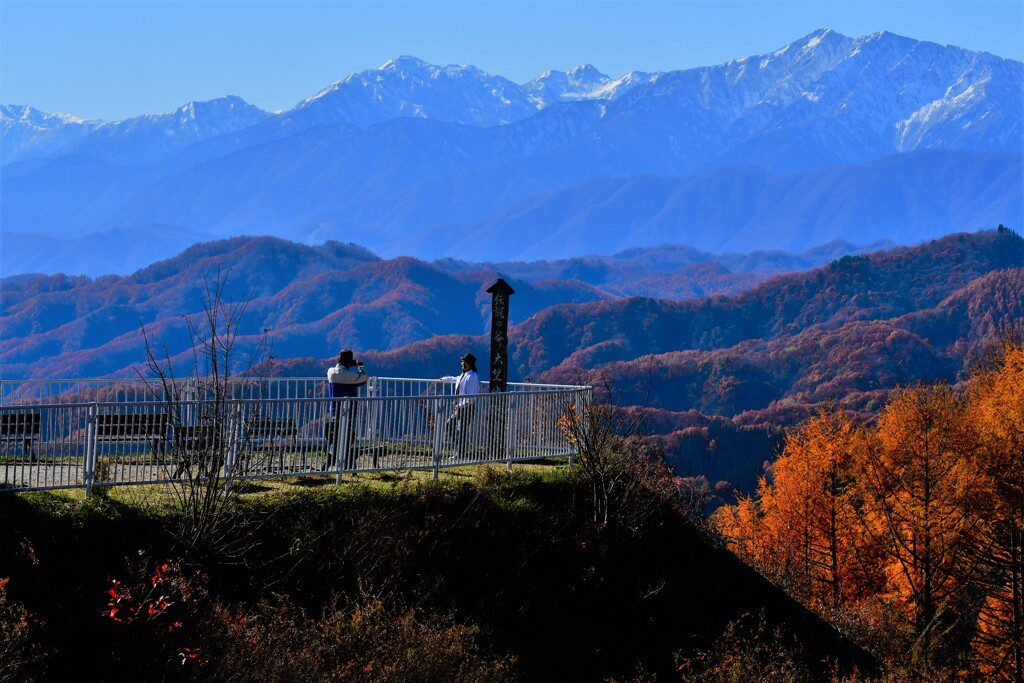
(827, 139)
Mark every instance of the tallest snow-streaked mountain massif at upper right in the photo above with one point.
(830, 100)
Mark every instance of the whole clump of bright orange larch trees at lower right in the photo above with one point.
(907, 533)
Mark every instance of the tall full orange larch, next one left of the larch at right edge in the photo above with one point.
(922, 498)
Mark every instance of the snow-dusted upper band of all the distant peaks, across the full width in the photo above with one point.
(852, 100)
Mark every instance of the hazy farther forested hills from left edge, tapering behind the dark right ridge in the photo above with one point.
(314, 300)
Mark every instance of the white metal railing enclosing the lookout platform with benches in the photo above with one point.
(51, 439)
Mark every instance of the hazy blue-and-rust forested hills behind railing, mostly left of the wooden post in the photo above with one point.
(311, 301)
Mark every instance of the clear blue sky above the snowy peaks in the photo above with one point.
(117, 60)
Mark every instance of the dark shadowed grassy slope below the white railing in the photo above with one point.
(515, 554)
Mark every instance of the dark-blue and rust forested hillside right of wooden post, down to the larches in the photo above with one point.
(721, 371)
